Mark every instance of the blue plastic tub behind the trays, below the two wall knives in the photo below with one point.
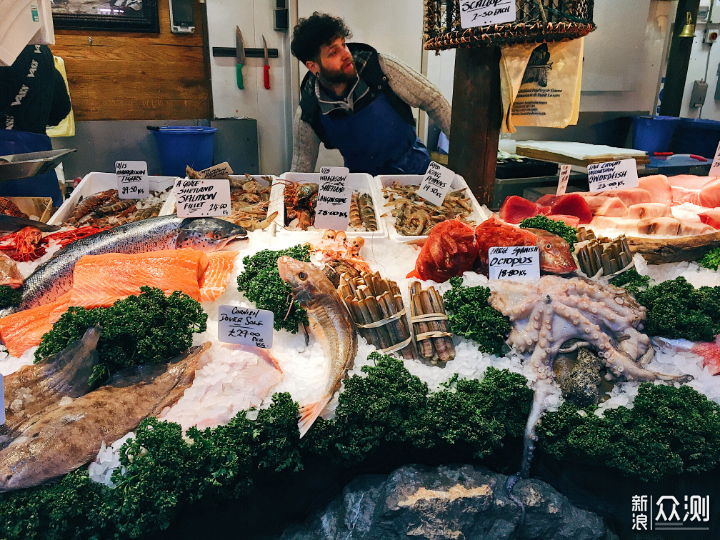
(179, 146)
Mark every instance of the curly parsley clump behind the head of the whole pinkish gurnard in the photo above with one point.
(261, 283)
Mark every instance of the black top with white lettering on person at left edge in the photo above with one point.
(32, 92)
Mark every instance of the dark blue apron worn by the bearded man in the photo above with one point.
(376, 140)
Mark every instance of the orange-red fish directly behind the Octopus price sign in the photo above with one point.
(555, 256)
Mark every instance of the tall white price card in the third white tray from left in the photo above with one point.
(333, 202)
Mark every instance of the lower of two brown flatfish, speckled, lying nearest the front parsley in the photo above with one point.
(67, 437)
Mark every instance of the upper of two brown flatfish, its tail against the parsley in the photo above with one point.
(35, 388)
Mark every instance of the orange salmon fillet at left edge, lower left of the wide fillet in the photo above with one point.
(25, 329)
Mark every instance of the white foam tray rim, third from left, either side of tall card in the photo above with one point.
(356, 181)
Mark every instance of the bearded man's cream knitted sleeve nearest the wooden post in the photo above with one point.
(417, 91)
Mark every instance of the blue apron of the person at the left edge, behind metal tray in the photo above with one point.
(45, 185)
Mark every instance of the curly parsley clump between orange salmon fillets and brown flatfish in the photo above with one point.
(142, 329)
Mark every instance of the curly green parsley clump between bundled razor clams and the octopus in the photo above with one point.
(472, 317)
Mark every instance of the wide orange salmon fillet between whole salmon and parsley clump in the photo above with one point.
(101, 280)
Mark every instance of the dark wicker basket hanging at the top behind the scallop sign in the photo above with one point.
(537, 21)
